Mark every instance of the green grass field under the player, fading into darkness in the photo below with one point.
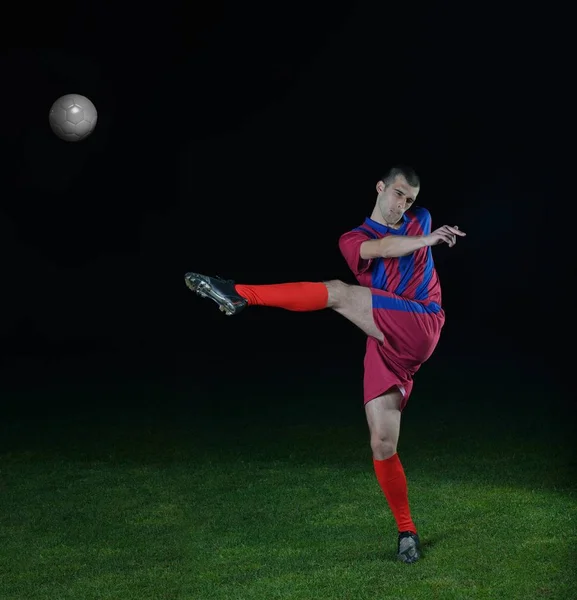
(279, 500)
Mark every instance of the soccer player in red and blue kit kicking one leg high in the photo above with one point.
(397, 304)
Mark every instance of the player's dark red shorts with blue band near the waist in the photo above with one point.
(412, 330)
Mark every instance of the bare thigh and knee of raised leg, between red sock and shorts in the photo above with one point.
(355, 303)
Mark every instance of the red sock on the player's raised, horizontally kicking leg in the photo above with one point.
(301, 297)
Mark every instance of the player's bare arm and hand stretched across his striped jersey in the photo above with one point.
(394, 246)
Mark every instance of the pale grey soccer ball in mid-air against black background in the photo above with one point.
(73, 117)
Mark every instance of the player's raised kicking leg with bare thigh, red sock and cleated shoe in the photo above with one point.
(352, 301)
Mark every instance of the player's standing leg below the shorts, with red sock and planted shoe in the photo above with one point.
(384, 420)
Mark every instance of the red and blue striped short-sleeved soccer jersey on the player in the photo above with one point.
(412, 277)
